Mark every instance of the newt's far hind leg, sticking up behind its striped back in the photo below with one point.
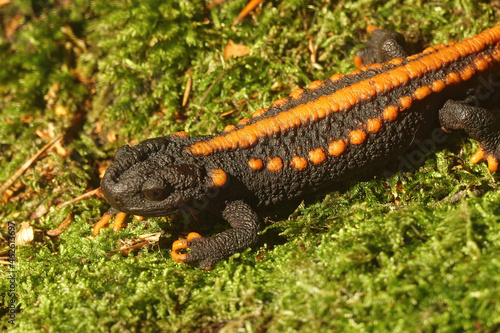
(382, 46)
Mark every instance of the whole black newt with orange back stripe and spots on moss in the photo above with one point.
(313, 139)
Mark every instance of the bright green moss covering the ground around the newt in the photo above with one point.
(388, 254)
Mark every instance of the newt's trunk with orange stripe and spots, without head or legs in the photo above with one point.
(340, 126)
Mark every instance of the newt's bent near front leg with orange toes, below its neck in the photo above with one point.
(208, 251)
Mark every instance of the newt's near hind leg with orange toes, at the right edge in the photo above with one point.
(481, 125)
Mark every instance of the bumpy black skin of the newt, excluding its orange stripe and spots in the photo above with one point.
(165, 168)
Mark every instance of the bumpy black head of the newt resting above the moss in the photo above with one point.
(154, 179)
